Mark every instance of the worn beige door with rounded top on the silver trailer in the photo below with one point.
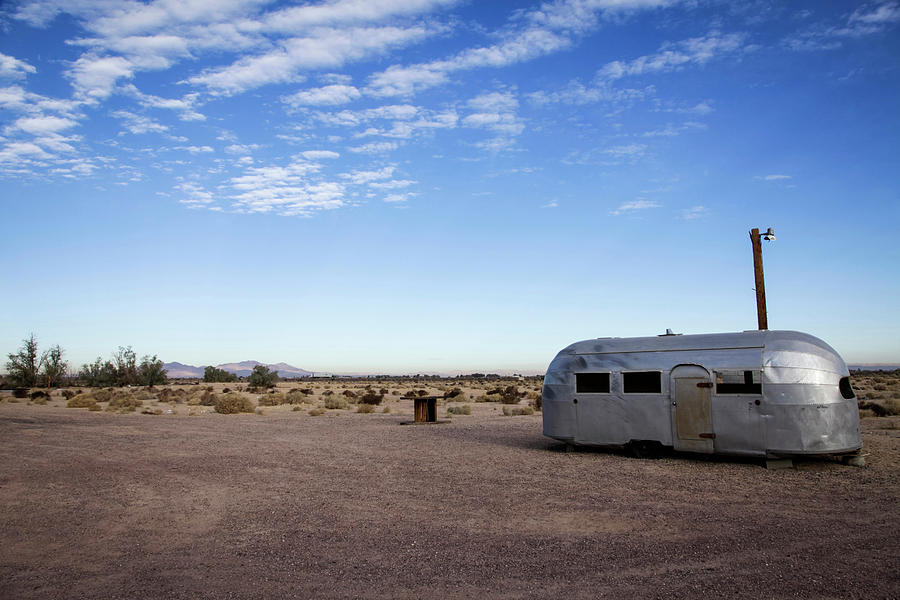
(692, 428)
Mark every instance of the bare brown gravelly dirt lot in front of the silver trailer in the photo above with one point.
(286, 505)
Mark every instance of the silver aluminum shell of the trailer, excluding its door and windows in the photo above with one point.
(800, 409)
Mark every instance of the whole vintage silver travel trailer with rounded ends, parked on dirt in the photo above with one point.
(758, 393)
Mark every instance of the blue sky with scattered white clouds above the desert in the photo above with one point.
(444, 186)
